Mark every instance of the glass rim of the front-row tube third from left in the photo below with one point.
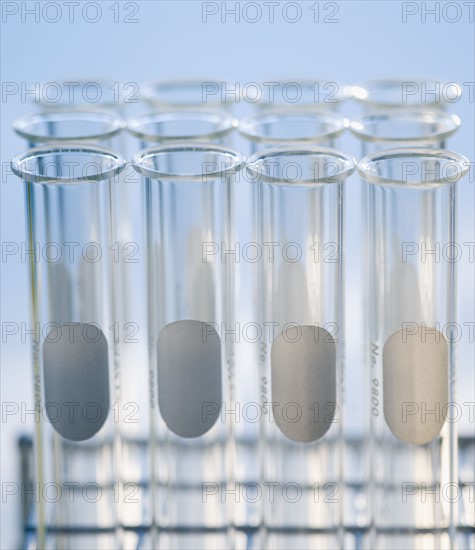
(349, 165)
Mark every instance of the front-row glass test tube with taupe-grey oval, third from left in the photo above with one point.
(301, 375)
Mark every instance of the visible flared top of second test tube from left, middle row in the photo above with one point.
(183, 125)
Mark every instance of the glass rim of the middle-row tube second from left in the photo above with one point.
(227, 123)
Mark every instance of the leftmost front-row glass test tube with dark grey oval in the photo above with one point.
(69, 212)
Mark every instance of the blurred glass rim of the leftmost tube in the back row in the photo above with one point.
(103, 82)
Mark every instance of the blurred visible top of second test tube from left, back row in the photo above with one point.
(172, 94)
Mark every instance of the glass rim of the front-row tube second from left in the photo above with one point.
(186, 146)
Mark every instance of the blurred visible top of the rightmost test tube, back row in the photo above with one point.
(387, 93)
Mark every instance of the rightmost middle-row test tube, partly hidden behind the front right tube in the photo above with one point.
(377, 131)
